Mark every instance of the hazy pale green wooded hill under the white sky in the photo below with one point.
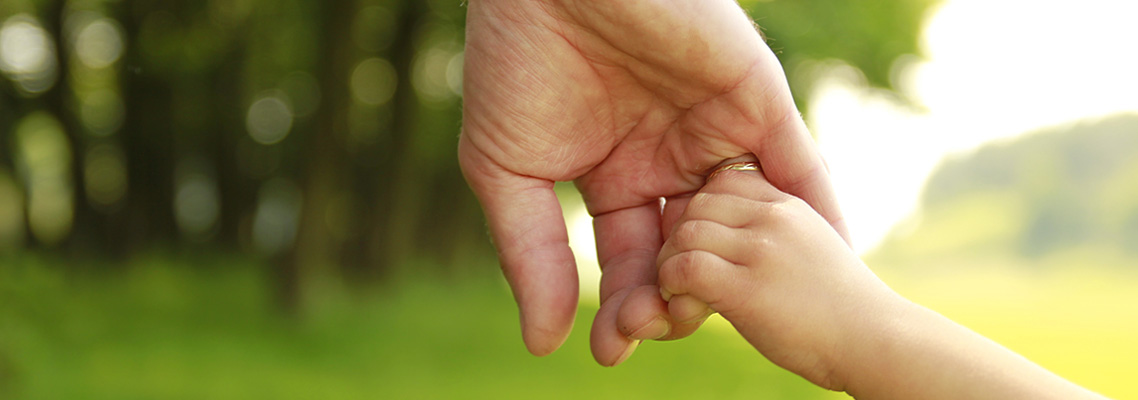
(1052, 191)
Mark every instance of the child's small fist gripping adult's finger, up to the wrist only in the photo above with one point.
(774, 268)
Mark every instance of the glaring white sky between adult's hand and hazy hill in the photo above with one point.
(994, 70)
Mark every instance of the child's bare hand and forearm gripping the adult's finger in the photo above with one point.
(777, 271)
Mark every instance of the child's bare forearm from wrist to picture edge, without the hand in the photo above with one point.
(919, 354)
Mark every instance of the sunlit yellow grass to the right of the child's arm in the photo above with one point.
(1075, 313)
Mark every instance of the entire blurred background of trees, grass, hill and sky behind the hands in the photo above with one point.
(251, 199)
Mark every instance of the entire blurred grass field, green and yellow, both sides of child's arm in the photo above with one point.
(208, 329)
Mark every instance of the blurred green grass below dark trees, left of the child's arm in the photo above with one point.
(176, 330)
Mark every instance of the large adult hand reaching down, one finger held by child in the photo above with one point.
(636, 101)
